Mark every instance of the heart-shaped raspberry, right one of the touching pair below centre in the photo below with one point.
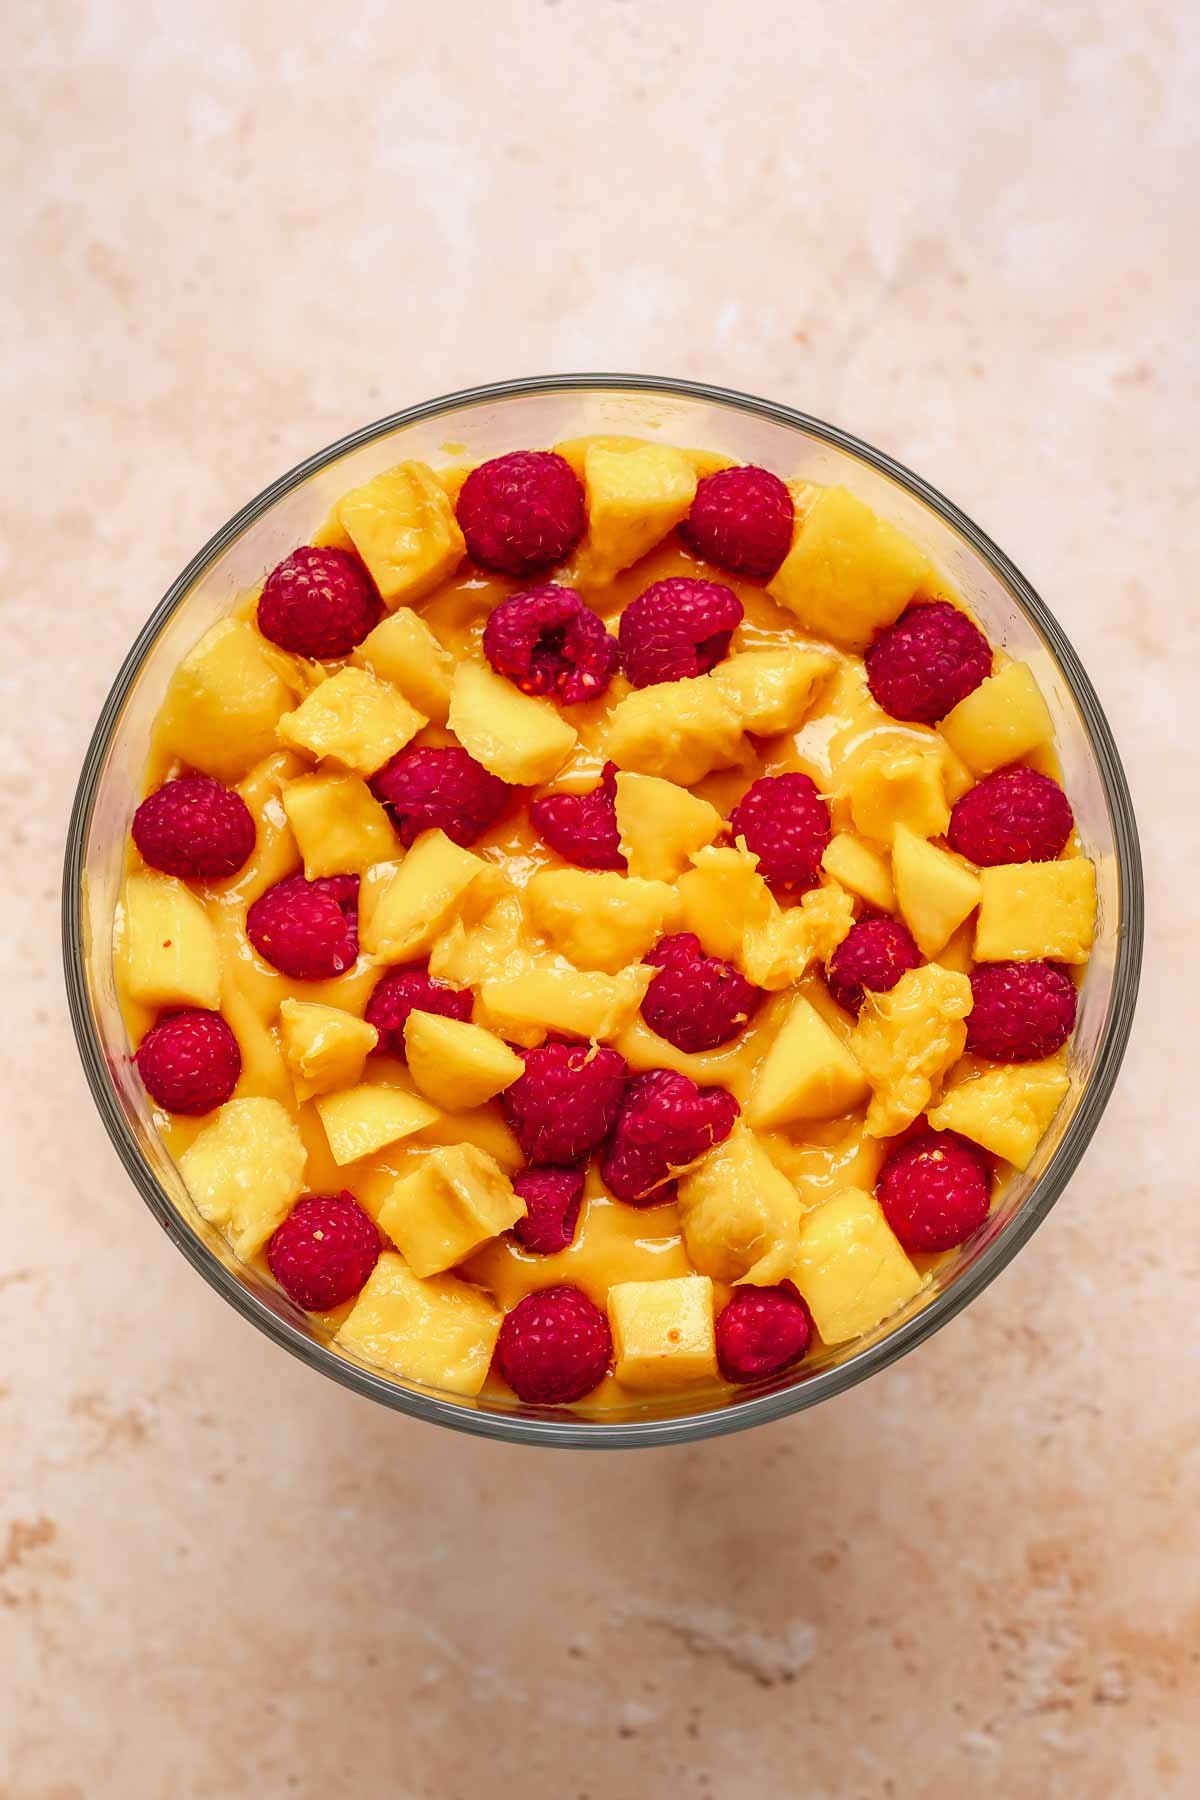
(665, 1124)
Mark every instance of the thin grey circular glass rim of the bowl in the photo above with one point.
(553, 1428)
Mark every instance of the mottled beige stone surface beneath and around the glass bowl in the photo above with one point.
(235, 233)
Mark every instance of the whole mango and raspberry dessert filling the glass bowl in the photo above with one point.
(602, 926)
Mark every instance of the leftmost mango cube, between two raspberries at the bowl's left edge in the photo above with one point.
(168, 944)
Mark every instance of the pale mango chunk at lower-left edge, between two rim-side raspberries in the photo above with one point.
(246, 1171)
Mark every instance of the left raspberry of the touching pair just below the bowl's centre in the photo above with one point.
(566, 1101)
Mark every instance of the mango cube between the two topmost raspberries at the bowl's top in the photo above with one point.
(634, 499)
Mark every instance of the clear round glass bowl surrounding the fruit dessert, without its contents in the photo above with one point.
(481, 424)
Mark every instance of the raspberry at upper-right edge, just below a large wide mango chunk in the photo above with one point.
(927, 661)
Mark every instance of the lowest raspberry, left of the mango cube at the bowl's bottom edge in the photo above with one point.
(553, 1347)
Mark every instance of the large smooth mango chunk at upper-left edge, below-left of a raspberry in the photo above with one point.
(226, 701)
